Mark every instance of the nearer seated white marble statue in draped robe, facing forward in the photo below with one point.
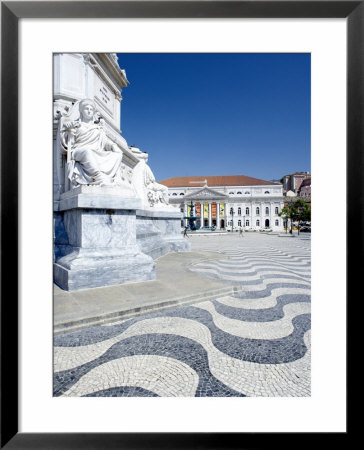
(92, 158)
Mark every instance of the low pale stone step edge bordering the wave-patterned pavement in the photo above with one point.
(143, 308)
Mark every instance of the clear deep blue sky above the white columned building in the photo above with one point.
(219, 113)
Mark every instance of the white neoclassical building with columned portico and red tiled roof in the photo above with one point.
(228, 201)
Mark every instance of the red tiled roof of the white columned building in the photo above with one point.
(217, 180)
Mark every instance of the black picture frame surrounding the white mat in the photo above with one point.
(11, 12)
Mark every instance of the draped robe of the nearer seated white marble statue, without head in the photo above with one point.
(92, 156)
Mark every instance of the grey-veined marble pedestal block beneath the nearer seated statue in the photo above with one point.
(95, 240)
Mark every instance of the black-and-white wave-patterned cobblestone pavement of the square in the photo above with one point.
(255, 343)
